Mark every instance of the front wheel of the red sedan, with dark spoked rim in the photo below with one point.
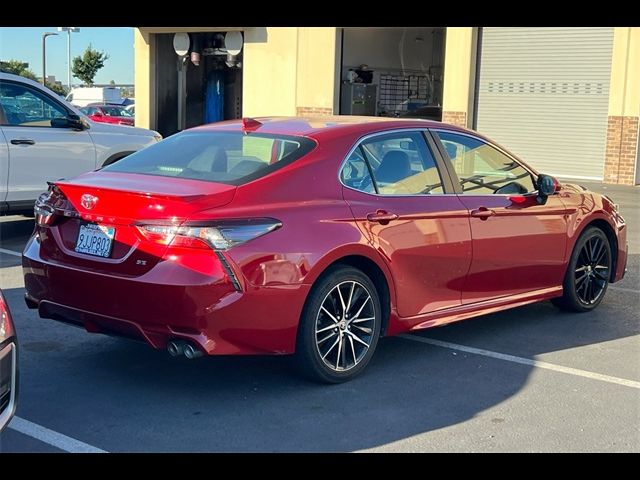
(588, 273)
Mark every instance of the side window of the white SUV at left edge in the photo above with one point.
(27, 107)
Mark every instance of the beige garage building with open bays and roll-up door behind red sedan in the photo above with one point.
(565, 99)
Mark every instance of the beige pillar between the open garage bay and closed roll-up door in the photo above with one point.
(459, 70)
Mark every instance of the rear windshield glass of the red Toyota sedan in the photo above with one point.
(233, 158)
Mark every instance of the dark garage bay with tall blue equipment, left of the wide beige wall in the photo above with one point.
(213, 82)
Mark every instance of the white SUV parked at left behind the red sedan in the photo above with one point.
(44, 138)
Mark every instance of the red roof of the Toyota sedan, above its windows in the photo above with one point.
(326, 126)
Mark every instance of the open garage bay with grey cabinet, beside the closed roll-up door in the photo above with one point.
(392, 72)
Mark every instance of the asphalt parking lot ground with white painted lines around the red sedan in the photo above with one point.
(528, 379)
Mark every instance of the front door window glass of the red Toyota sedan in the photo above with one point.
(482, 169)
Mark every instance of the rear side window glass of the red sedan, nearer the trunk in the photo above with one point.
(401, 164)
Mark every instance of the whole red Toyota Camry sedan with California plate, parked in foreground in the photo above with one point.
(314, 237)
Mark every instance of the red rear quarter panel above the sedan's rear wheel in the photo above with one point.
(318, 227)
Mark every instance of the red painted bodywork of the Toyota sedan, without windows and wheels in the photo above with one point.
(440, 262)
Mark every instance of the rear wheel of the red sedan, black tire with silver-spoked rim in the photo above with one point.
(329, 348)
